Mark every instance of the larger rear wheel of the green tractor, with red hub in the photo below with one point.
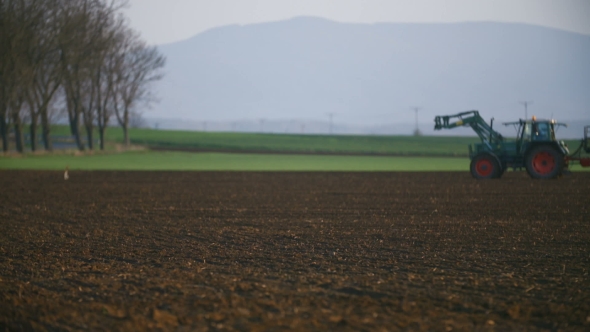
(544, 162)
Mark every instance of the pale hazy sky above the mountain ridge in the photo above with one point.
(168, 21)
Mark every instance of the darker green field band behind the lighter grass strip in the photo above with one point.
(256, 142)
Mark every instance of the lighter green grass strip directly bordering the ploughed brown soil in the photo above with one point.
(181, 161)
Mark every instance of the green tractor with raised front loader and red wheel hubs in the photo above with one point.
(534, 149)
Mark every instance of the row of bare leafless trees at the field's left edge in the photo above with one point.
(74, 58)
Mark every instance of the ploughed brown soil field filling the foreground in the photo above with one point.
(304, 251)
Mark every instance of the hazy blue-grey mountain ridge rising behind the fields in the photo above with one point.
(371, 74)
